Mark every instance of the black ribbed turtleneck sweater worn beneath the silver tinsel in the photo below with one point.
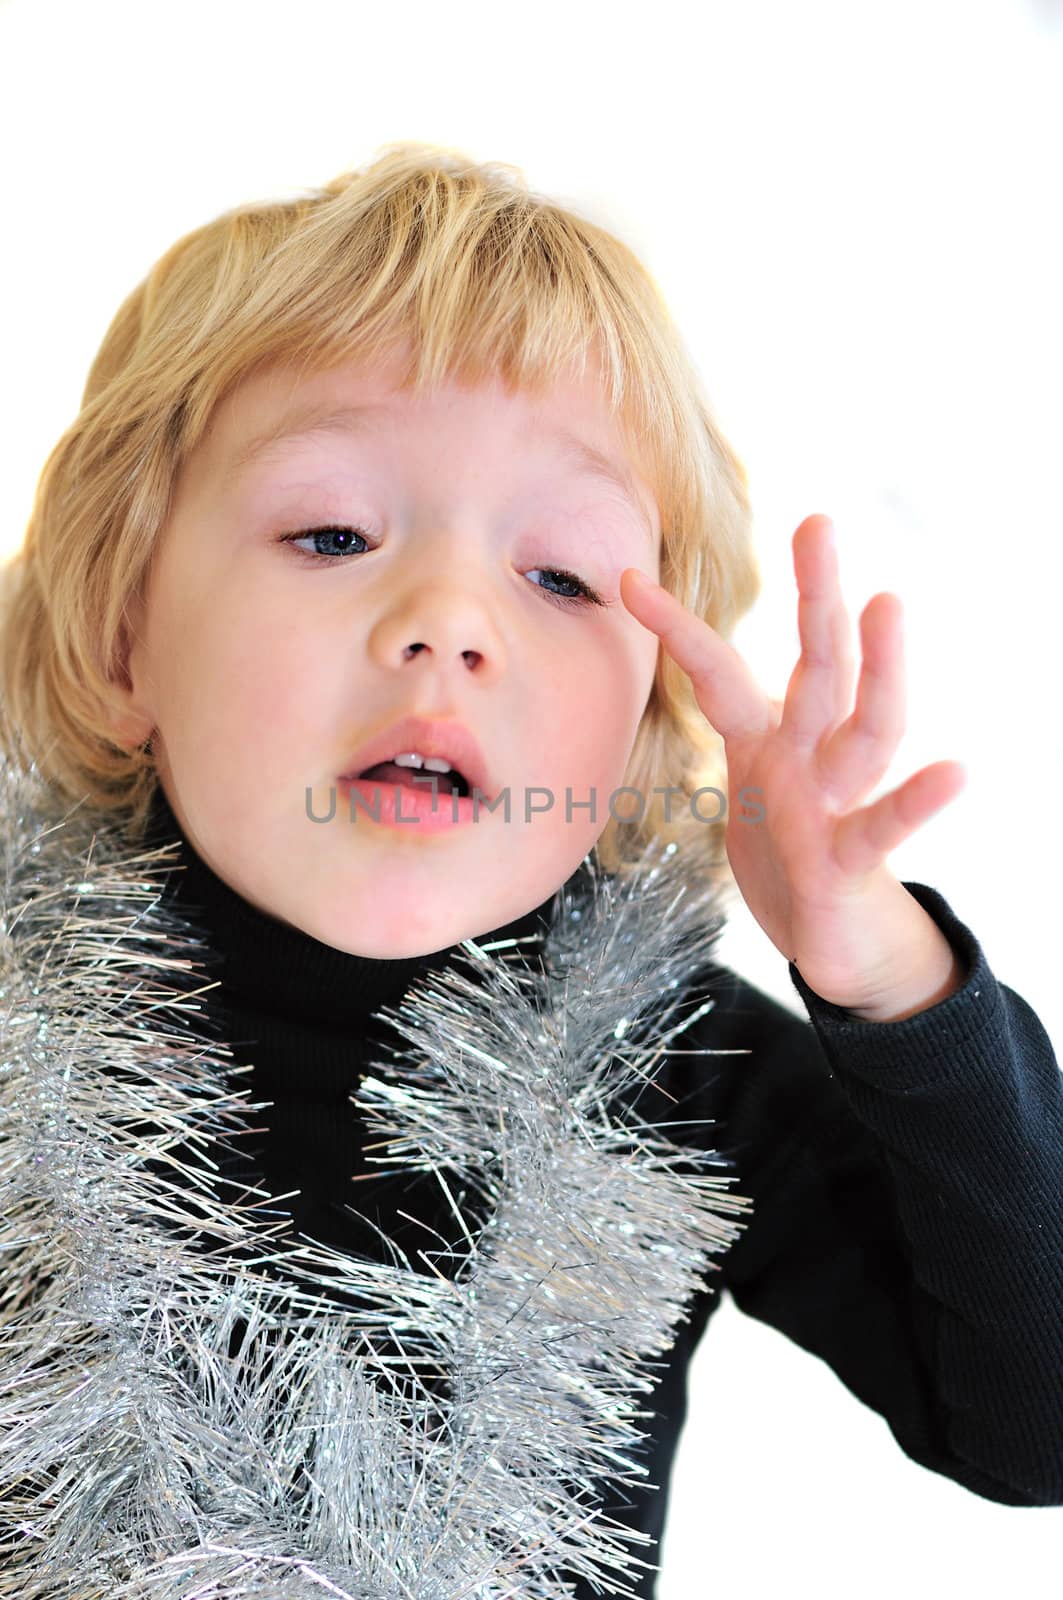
(907, 1177)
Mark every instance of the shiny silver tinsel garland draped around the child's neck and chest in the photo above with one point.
(140, 1454)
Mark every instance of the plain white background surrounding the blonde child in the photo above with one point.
(854, 215)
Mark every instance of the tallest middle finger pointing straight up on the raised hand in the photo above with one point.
(820, 689)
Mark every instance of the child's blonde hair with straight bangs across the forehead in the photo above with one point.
(422, 249)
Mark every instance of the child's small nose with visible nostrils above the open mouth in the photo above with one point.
(443, 626)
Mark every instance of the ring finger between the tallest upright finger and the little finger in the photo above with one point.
(859, 753)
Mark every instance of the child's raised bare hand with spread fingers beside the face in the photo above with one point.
(812, 870)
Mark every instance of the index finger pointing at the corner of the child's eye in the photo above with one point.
(724, 687)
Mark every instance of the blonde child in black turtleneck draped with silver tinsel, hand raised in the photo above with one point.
(417, 468)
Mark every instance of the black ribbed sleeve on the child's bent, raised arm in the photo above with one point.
(909, 1214)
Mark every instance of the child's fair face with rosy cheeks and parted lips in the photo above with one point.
(265, 666)
